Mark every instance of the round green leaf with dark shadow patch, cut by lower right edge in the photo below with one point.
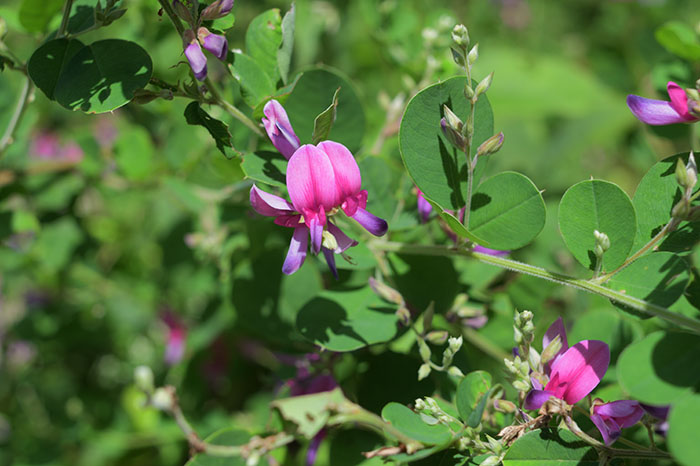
(660, 368)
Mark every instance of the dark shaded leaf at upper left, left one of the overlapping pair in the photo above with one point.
(47, 63)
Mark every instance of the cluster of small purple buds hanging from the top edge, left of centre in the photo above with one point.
(194, 41)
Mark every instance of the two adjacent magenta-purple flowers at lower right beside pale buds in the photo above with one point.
(571, 373)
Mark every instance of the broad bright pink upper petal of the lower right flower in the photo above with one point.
(579, 370)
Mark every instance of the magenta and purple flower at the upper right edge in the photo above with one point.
(661, 112)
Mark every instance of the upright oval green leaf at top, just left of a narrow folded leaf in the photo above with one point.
(262, 40)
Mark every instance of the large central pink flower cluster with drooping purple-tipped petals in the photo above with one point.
(322, 181)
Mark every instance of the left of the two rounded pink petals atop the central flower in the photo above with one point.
(310, 180)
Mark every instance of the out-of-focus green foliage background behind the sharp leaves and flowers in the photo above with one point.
(147, 223)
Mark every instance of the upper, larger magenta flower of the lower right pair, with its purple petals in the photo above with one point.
(574, 372)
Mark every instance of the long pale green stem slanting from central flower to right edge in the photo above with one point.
(585, 285)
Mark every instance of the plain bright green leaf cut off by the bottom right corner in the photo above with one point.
(683, 430)
